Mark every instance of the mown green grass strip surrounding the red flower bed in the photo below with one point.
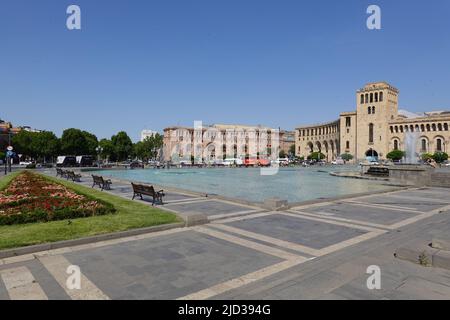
(129, 215)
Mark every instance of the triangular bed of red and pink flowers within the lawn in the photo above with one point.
(32, 198)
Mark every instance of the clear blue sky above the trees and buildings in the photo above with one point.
(151, 64)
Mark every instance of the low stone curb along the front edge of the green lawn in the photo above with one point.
(75, 242)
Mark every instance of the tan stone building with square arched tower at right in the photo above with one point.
(375, 128)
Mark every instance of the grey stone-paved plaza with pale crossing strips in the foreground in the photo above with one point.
(314, 251)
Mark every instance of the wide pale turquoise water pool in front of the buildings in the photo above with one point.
(292, 184)
